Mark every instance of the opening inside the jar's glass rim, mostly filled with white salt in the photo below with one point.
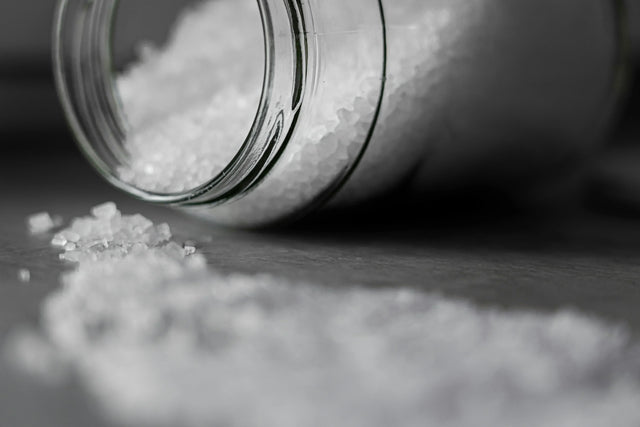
(189, 104)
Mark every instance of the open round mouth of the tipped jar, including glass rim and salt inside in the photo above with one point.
(194, 118)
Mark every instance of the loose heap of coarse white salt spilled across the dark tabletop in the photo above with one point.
(160, 339)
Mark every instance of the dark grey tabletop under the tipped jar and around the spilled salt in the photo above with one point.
(573, 259)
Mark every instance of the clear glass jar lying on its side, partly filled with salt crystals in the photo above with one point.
(356, 99)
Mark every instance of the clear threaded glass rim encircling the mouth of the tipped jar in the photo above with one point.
(84, 69)
